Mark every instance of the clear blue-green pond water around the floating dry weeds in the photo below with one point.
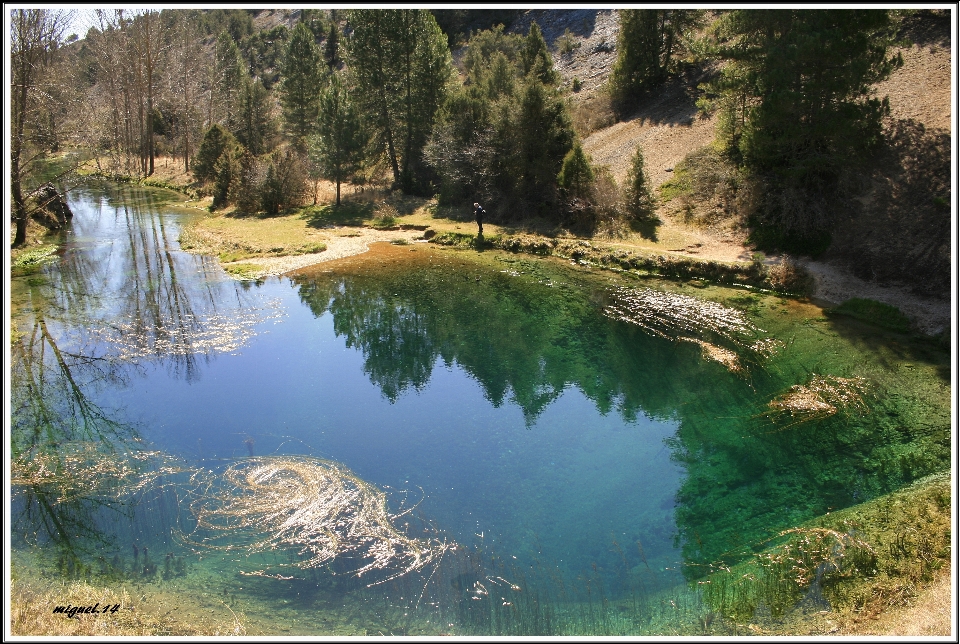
(598, 466)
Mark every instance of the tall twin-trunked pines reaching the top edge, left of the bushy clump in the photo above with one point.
(402, 67)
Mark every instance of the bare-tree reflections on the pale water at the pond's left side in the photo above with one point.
(89, 324)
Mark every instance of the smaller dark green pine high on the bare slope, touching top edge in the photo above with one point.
(647, 45)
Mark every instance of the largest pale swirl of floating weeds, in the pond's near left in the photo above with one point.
(315, 507)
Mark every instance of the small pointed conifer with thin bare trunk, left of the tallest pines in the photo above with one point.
(338, 148)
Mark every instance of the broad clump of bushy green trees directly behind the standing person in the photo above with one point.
(502, 137)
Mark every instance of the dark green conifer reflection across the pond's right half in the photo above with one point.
(530, 331)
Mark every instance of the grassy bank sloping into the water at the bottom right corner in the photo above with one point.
(844, 570)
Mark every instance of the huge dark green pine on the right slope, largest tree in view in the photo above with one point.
(796, 110)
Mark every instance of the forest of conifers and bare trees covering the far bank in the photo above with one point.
(450, 103)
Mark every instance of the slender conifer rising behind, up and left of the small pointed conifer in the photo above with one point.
(301, 84)
